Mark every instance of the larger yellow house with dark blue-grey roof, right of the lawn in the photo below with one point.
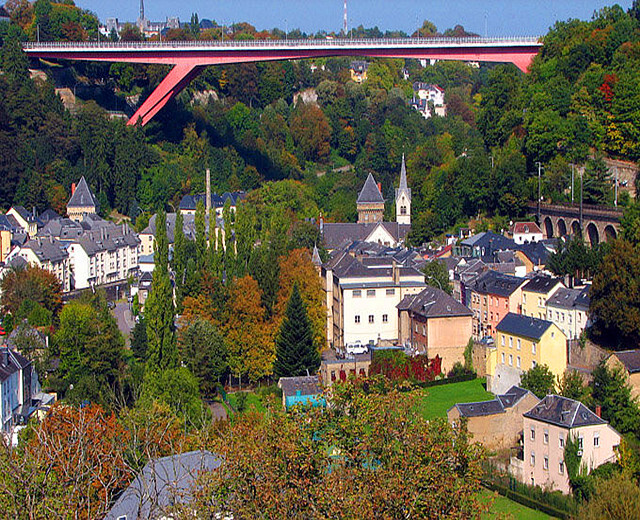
(521, 343)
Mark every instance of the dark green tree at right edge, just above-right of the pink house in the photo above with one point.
(610, 390)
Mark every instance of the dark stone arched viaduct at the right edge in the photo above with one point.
(600, 223)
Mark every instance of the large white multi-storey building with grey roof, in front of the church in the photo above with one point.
(362, 297)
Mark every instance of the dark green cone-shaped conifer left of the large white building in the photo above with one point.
(295, 353)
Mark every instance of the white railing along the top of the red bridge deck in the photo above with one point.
(361, 42)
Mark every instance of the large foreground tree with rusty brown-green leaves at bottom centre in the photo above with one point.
(347, 461)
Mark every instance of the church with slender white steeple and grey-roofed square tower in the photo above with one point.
(370, 226)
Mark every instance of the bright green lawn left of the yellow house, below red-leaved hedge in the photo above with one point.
(438, 399)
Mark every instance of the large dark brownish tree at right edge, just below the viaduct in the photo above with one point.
(615, 297)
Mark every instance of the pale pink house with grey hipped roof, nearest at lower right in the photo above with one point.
(547, 426)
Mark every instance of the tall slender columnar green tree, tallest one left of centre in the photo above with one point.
(162, 353)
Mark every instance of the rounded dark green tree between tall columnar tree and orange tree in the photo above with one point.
(203, 351)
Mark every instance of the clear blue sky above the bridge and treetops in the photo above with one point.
(491, 17)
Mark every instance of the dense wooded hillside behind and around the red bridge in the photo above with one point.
(580, 103)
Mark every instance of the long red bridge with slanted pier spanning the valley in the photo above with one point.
(191, 57)
